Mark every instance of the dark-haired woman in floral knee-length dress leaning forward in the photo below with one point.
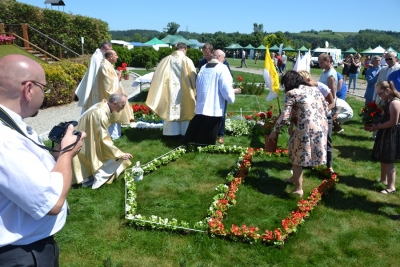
(307, 144)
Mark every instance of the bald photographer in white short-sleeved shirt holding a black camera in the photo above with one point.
(33, 183)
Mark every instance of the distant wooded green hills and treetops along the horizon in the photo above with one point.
(310, 39)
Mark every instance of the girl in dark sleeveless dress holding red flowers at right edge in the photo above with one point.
(387, 142)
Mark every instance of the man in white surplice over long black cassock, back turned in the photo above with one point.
(214, 88)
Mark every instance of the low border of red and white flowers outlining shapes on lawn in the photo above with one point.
(223, 200)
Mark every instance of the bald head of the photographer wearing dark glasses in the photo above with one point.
(17, 92)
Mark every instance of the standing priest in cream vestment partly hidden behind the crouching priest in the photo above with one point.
(107, 83)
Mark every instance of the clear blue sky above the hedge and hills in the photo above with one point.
(231, 16)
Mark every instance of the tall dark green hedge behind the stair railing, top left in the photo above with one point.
(63, 27)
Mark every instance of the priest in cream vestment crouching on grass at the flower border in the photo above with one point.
(99, 160)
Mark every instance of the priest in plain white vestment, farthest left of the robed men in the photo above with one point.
(85, 86)
